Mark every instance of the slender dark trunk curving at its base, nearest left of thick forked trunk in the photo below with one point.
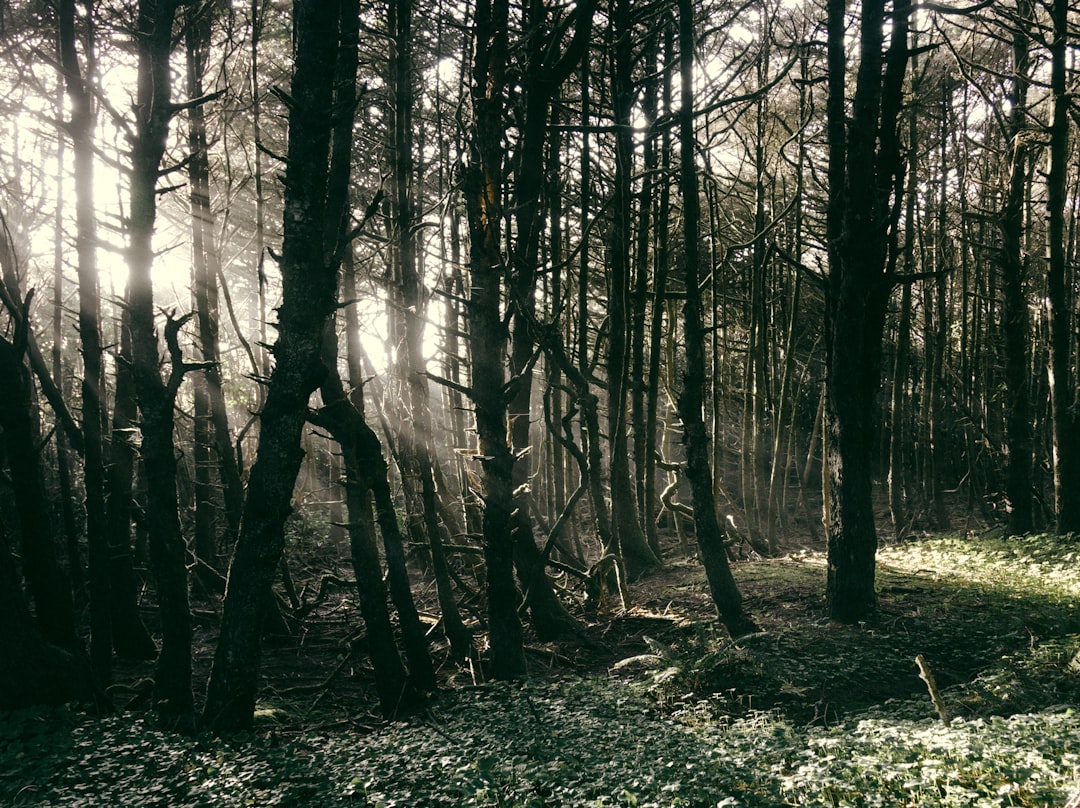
(708, 529)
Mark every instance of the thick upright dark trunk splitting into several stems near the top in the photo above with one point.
(866, 182)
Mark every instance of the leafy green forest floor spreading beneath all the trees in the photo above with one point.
(654, 706)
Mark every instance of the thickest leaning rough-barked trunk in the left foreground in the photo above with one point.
(309, 285)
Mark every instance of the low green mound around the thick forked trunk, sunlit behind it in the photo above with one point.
(997, 621)
